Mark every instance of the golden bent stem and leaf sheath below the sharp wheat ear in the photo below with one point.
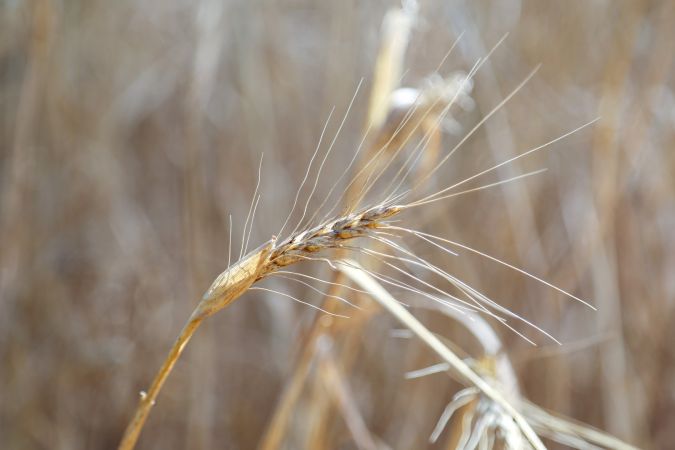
(229, 286)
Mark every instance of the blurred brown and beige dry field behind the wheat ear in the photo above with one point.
(130, 131)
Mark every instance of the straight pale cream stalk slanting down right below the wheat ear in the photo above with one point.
(368, 283)
